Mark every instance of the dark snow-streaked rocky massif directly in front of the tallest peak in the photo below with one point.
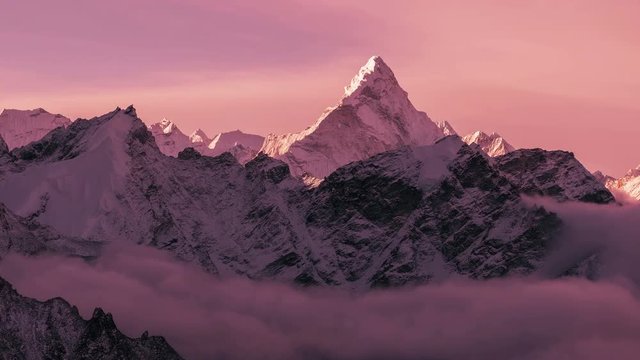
(391, 227)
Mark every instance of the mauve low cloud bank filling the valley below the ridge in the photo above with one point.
(205, 318)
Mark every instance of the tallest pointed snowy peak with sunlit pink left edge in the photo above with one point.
(374, 115)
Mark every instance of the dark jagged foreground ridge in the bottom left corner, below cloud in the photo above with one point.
(53, 329)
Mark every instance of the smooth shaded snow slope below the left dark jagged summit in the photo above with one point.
(79, 170)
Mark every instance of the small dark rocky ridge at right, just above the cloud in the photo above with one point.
(556, 174)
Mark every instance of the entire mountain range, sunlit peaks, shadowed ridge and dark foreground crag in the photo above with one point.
(374, 194)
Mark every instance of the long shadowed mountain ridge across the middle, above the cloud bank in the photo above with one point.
(405, 216)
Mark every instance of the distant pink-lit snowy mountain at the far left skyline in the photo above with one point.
(21, 127)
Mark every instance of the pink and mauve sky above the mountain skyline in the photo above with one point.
(552, 74)
